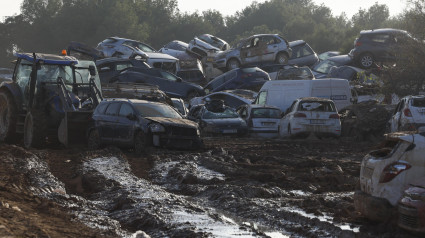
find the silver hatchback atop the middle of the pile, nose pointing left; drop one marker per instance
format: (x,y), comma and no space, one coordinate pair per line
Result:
(254,50)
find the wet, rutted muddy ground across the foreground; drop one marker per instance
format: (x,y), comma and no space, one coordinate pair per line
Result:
(234,187)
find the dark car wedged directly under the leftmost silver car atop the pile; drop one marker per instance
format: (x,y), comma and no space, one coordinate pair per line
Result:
(111,67)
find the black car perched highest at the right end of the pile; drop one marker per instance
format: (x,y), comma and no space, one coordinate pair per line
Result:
(380,45)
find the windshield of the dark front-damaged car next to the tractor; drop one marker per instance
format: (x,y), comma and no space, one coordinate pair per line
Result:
(156,110)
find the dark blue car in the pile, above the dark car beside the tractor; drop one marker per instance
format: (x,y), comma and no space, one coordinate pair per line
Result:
(172,85)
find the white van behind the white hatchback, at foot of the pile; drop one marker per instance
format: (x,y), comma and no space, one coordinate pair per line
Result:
(281,93)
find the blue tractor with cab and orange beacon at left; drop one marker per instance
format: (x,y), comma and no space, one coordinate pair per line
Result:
(50,98)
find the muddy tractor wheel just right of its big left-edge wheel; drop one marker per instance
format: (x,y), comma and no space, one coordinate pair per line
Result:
(35,129)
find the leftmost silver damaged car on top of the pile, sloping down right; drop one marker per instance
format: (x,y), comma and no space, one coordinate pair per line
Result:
(127,48)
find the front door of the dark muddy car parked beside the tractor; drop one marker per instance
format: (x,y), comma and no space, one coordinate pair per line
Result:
(126,125)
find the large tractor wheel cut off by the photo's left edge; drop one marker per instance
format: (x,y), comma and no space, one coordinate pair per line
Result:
(8,117)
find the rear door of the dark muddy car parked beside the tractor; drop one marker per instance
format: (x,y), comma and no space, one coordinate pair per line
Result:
(107,122)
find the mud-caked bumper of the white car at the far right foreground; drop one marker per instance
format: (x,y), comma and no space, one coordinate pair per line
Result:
(374,208)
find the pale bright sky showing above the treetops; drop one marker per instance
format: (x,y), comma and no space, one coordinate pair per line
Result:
(229,7)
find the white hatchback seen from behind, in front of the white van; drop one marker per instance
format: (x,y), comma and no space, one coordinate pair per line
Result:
(311,115)
